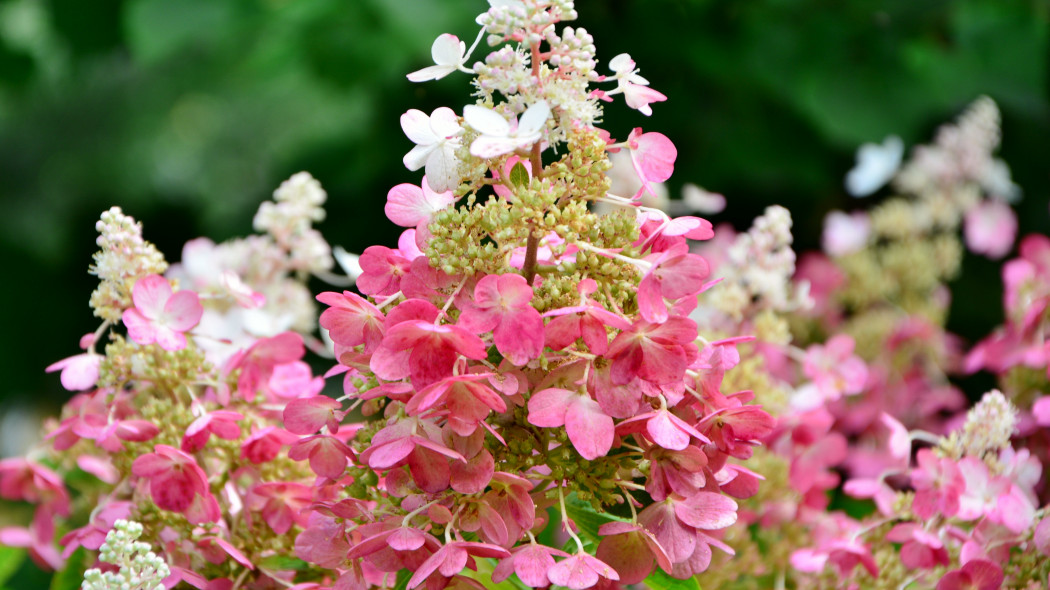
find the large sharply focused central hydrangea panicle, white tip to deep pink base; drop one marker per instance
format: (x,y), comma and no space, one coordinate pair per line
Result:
(528,359)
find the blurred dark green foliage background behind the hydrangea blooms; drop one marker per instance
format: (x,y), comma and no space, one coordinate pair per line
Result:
(187,114)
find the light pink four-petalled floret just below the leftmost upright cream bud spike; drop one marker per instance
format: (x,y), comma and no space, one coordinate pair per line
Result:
(160,315)
